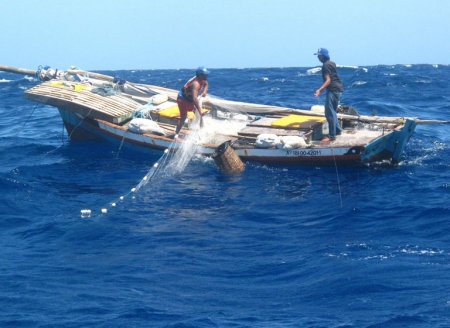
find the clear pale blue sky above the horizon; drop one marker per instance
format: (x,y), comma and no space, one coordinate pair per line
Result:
(148,34)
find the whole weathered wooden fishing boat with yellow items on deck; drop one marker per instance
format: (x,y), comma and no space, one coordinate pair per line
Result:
(143,117)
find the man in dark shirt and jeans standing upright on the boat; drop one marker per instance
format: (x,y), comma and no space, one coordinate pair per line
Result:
(334,87)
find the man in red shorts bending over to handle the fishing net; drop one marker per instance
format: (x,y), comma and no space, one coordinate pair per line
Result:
(188,97)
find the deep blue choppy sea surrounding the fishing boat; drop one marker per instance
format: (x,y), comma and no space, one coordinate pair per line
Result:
(277,246)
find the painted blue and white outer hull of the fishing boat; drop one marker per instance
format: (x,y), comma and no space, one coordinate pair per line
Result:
(387,147)
